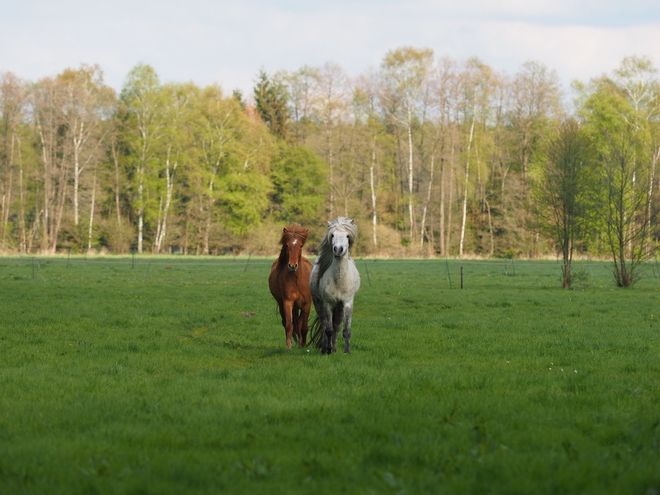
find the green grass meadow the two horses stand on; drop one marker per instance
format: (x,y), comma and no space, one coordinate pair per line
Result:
(171,376)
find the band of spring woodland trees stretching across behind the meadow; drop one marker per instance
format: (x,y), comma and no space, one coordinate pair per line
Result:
(431,156)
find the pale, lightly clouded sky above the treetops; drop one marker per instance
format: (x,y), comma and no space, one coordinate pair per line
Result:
(227,42)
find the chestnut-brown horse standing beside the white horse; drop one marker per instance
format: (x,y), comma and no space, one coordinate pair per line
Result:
(289,284)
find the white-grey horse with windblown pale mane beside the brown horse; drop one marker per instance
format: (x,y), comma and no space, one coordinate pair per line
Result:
(333,283)
